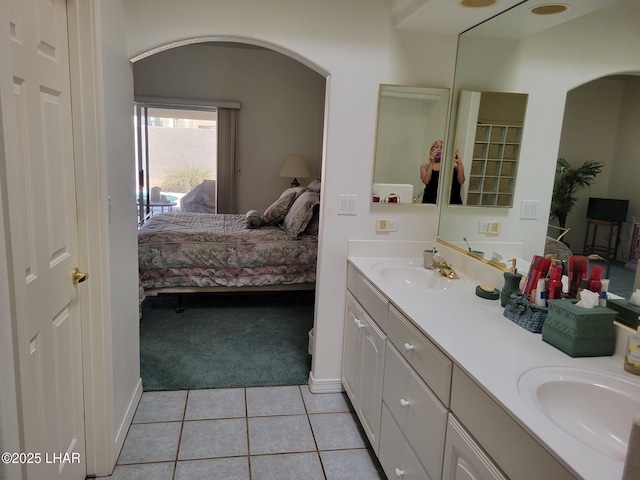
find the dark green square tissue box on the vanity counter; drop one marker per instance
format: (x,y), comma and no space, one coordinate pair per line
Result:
(580,332)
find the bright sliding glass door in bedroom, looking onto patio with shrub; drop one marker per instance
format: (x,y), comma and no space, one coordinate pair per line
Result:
(176,153)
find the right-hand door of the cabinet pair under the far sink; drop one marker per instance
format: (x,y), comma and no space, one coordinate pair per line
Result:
(372,372)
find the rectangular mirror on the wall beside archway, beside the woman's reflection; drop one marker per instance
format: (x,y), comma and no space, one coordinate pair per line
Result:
(410,120)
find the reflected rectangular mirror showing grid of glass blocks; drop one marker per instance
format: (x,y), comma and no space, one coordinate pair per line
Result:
(488,136)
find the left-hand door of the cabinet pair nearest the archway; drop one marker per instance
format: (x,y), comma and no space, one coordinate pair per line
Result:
(352,346)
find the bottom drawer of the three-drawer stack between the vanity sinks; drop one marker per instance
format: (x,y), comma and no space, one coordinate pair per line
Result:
(396,456)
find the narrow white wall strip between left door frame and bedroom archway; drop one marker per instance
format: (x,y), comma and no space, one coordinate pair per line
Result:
(117,82)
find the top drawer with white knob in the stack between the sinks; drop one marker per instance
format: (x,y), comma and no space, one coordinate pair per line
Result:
(428,361)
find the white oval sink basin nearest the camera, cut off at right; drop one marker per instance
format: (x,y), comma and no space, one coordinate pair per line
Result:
(595,407)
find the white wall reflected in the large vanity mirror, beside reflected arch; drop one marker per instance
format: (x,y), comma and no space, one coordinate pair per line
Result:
(545,66)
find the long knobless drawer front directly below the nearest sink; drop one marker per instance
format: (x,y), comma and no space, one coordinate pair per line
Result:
(516,452)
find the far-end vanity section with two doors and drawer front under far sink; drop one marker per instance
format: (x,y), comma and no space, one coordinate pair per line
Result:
(363,361)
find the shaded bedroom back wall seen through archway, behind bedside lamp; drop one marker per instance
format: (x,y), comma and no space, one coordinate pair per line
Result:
(282,108)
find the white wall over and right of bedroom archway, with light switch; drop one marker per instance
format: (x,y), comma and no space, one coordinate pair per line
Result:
(355,45)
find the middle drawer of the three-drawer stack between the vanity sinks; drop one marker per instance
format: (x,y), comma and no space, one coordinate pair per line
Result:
(417,411)
